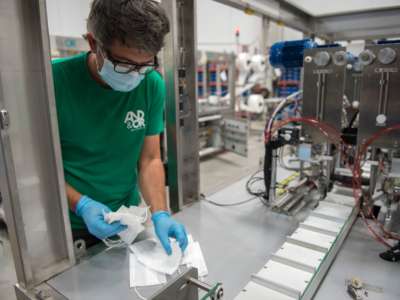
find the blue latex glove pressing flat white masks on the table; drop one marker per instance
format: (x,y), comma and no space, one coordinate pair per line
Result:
(166,227)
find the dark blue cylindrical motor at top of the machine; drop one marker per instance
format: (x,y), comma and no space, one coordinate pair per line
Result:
(289,54)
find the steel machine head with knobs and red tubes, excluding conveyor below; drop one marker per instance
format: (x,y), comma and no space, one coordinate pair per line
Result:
(326,139)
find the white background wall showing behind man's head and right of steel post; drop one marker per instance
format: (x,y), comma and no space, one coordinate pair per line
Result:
(216,24)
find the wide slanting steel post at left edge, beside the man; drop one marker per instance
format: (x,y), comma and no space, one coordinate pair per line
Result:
(32,181)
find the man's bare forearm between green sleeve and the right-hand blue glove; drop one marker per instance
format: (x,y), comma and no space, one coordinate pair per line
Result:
(152,184)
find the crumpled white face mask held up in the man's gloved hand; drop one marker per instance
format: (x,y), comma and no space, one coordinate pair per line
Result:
(133,217)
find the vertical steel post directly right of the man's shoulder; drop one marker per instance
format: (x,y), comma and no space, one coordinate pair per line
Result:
(180,69)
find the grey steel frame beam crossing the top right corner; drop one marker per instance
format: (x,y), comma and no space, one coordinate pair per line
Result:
(371,24)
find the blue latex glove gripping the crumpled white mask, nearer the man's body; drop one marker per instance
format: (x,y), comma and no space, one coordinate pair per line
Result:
(92,213)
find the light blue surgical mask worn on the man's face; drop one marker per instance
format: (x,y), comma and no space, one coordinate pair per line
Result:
(117,81)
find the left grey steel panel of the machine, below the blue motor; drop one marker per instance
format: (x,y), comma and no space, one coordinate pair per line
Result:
(323,88)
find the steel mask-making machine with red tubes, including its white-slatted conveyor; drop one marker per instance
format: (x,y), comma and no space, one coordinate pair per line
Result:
(345,167)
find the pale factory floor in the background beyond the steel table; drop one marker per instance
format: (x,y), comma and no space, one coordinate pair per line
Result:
(216,172)
